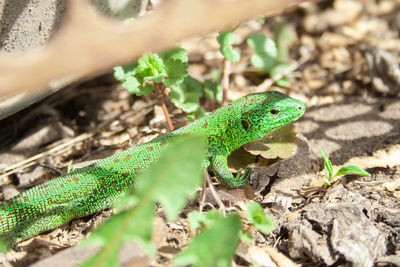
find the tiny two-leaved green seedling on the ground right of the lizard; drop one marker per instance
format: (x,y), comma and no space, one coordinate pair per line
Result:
(348,169)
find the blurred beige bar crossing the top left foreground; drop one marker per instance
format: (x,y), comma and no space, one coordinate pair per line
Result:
(87,43)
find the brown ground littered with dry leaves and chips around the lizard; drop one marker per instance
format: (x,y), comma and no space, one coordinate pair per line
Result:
(347,74)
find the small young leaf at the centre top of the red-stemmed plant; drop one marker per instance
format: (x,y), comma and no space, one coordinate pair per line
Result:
(151,68)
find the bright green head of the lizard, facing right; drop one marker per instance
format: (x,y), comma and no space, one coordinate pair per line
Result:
(263,112)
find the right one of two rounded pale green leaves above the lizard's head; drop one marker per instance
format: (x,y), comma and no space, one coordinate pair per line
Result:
(265,52)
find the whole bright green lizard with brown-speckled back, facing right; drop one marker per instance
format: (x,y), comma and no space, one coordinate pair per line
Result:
(98,186)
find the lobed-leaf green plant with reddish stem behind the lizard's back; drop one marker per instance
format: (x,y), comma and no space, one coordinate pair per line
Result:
(155,73)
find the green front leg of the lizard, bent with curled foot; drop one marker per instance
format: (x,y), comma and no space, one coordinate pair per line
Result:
(220,165)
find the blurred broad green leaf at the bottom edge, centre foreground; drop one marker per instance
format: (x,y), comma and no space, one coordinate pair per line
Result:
(214,246)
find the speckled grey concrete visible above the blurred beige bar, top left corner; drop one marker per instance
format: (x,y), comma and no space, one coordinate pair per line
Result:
(27,24)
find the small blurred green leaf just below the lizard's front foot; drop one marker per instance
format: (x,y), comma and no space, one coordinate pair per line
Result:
(259,218)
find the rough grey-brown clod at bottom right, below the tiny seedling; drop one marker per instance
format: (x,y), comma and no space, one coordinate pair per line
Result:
(345,227)
